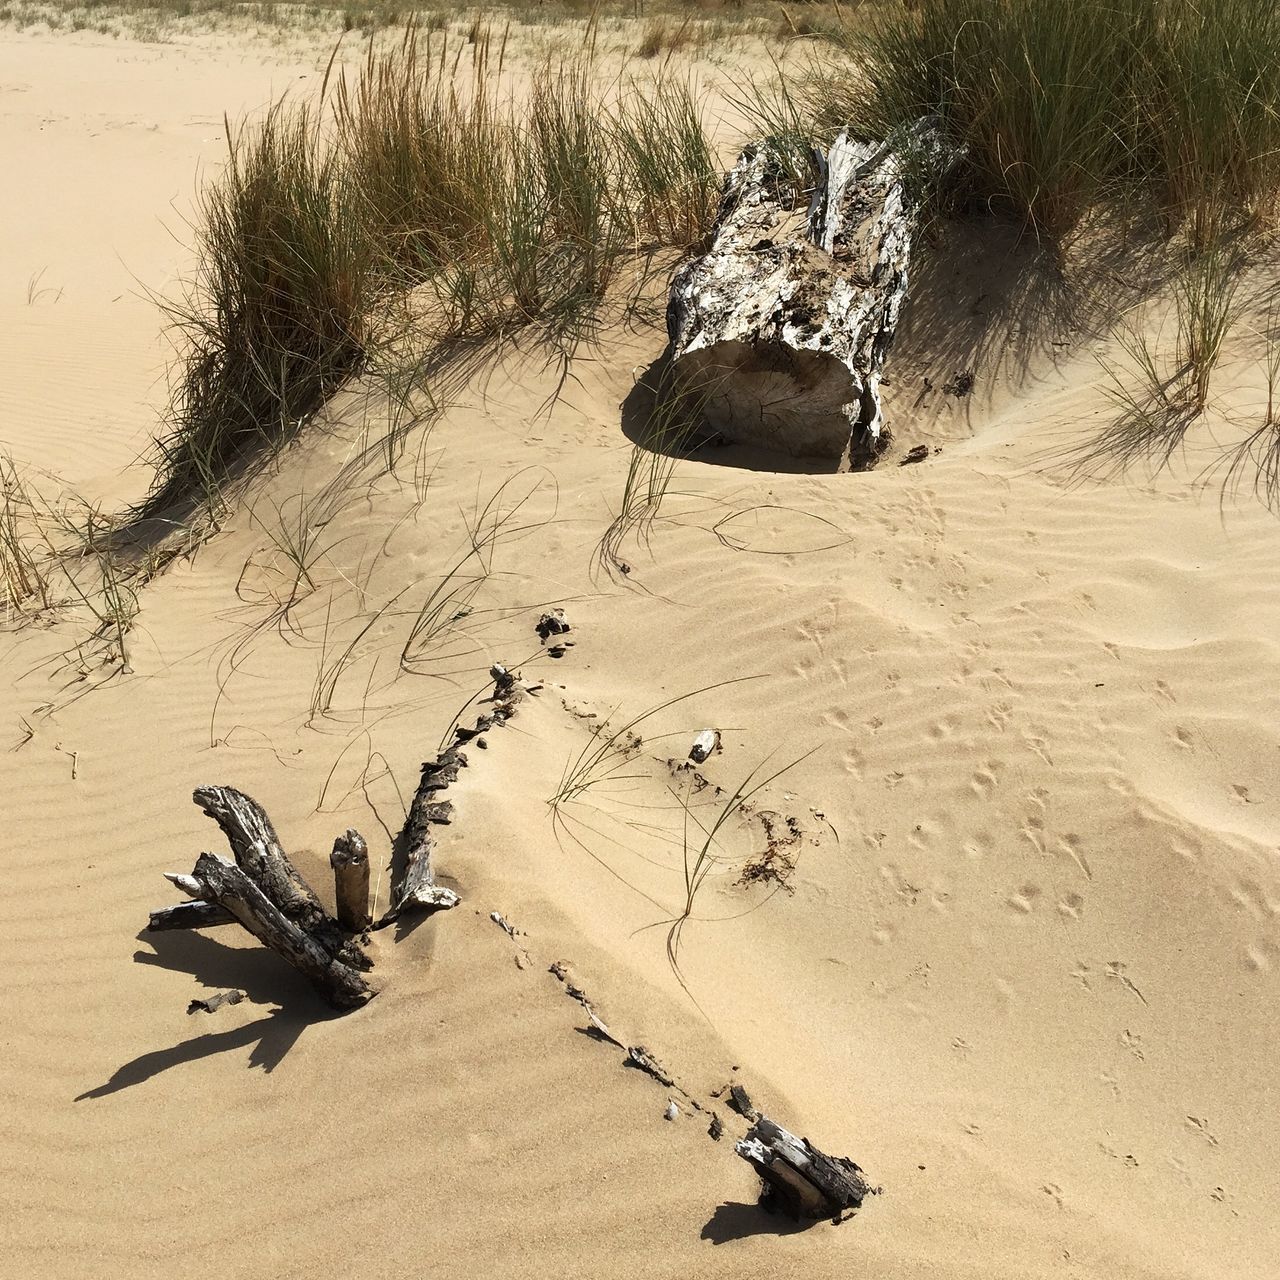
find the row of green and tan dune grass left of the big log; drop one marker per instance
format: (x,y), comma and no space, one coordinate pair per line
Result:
(418,211)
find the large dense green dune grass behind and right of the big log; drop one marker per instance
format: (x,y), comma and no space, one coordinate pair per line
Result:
(1167,107)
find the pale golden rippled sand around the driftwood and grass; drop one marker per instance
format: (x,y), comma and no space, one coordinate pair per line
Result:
(1017,953)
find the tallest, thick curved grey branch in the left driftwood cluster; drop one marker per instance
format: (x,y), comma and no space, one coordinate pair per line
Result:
(262,857)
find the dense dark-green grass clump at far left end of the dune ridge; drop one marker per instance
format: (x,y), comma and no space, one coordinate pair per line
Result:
(277,317)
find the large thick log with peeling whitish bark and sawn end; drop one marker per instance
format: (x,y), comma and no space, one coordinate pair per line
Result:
(780,332)
